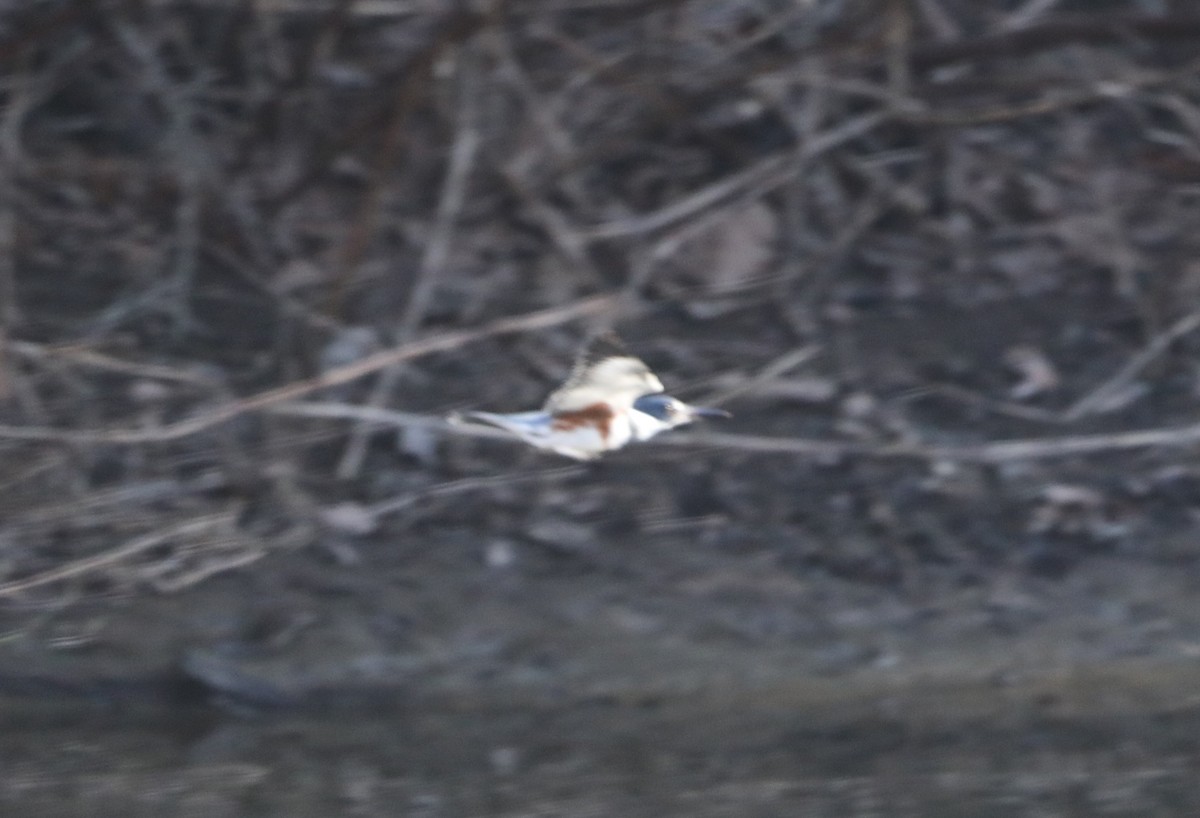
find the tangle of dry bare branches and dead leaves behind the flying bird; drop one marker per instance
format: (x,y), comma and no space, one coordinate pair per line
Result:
(932,251)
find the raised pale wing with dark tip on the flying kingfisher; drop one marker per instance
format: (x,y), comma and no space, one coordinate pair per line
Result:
(604,371)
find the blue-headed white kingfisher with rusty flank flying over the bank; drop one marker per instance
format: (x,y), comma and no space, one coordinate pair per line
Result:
(610,399)
